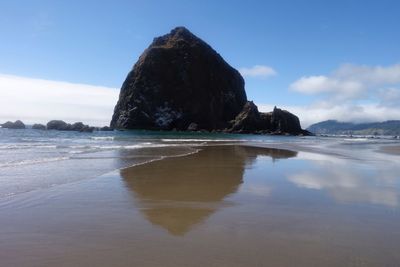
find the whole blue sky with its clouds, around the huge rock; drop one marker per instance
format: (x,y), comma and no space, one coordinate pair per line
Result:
(318,59)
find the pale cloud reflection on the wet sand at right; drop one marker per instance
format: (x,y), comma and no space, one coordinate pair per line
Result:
(350,185)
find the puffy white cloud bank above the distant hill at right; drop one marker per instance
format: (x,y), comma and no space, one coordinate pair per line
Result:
(351,93)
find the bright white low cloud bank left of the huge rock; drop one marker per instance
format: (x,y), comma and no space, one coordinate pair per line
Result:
(37,100)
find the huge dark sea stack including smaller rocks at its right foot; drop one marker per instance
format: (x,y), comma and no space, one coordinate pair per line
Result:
(180,82)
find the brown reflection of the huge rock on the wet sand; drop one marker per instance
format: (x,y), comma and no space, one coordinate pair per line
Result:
(177,193)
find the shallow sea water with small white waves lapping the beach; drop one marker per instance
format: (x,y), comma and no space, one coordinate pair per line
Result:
(35,159)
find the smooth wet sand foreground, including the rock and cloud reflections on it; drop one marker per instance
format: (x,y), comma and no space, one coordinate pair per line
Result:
(222,206)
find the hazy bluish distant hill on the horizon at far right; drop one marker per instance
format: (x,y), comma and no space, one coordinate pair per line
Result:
(374,128)
